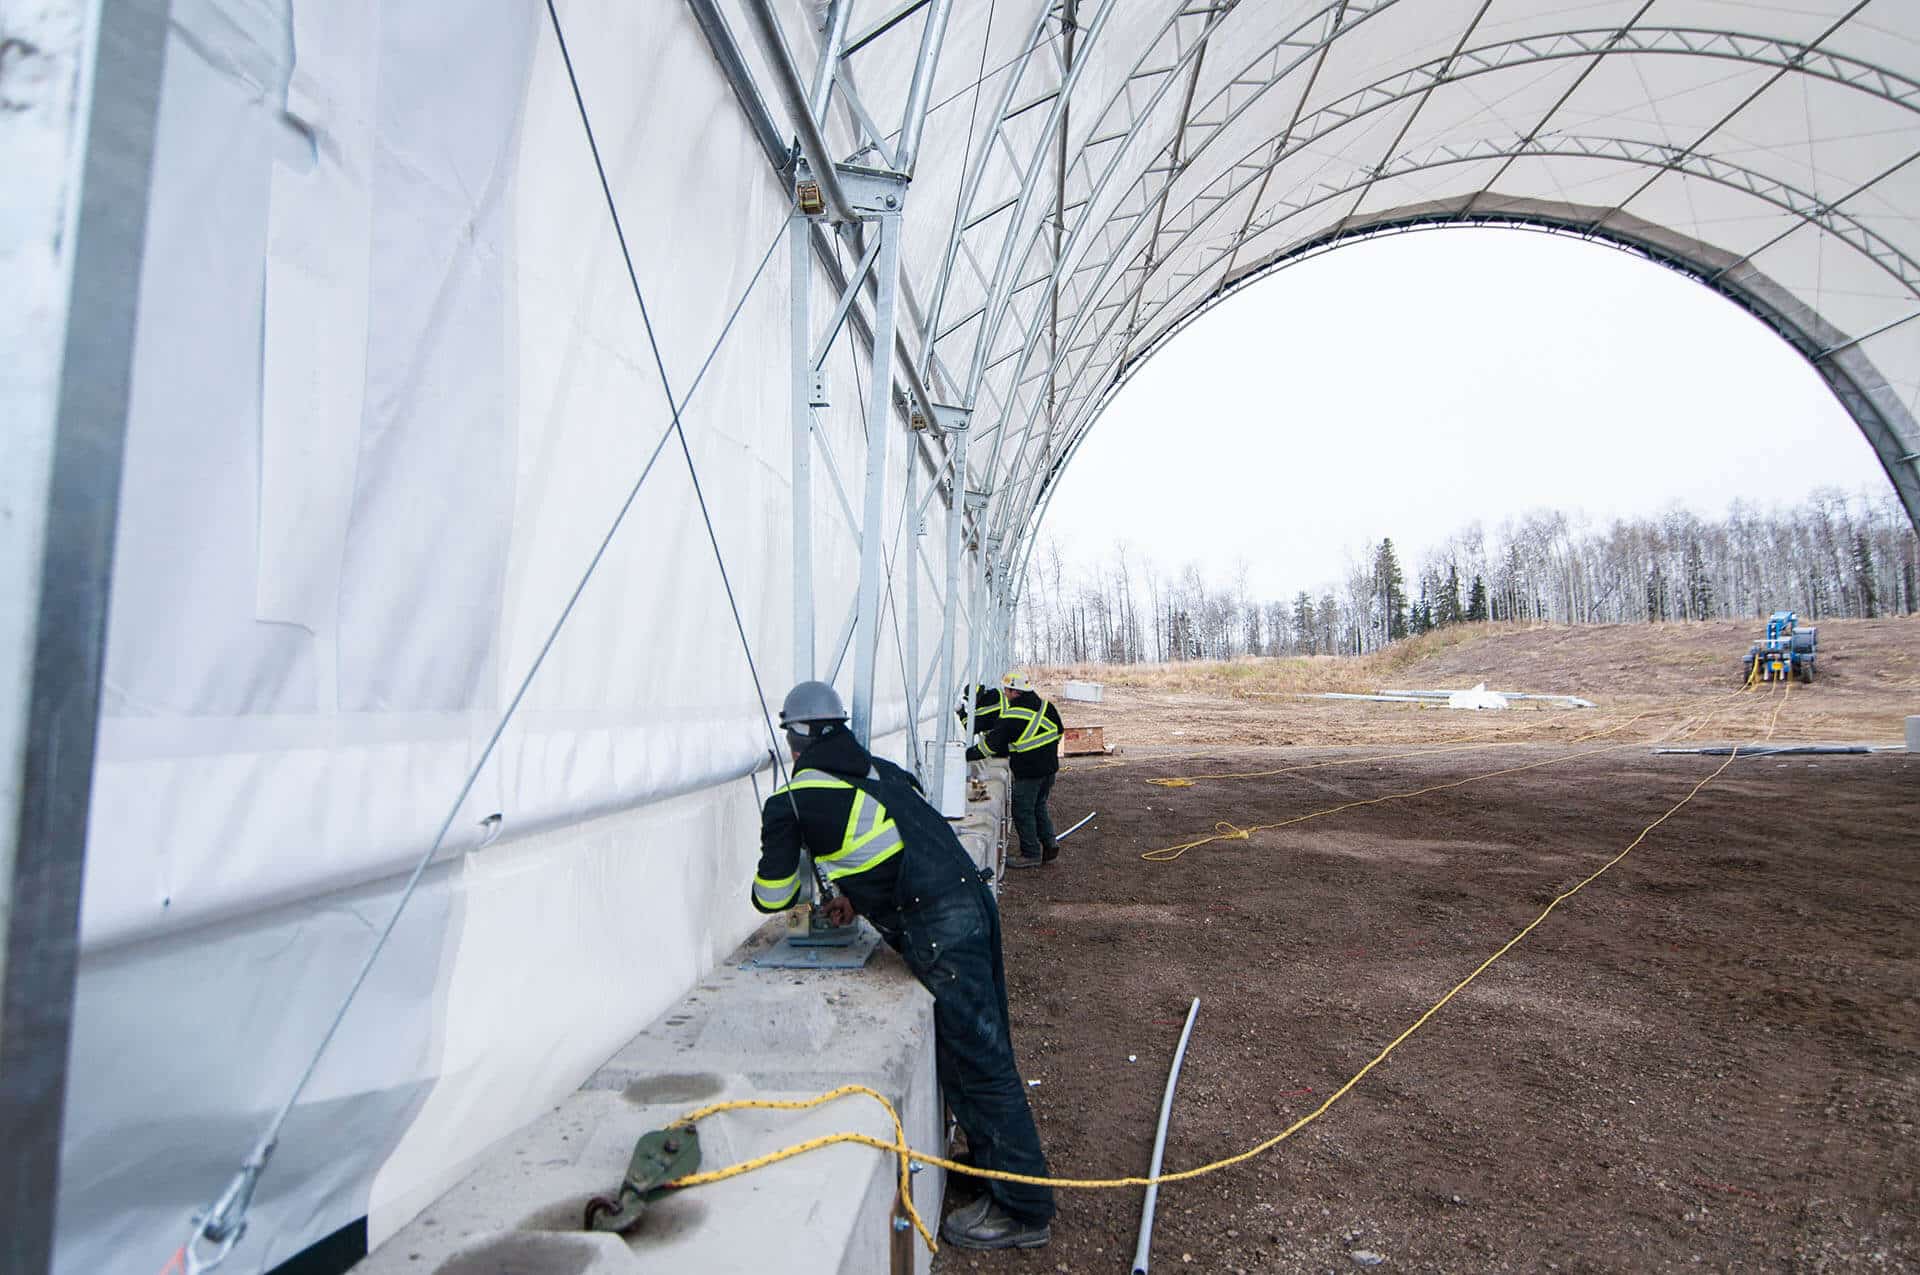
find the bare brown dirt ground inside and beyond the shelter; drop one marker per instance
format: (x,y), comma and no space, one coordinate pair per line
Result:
(1710,1059)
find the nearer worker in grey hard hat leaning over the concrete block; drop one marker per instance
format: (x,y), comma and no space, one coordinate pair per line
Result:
(900,865)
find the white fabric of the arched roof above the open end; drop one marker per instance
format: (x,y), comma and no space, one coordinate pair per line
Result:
(1053,239)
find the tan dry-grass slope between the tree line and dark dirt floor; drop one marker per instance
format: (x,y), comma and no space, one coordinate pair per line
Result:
(1644,679)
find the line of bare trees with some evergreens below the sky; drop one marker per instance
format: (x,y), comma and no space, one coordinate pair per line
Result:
(1833,556)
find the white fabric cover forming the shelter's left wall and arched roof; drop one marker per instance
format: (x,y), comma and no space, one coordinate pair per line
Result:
(393,389)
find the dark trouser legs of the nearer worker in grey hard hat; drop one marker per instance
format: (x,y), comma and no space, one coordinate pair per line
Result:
(953,948)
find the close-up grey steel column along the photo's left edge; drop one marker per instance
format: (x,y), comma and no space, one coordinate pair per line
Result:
(66,421)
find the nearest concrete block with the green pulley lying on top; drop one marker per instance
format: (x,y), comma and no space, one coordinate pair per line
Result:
(740,1034)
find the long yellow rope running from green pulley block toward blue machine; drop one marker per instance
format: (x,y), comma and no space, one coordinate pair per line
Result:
(907,1155)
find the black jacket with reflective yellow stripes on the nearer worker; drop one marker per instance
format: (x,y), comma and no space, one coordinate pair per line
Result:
(926,867)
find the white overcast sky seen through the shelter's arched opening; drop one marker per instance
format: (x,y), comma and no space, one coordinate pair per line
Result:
(1404,387)
